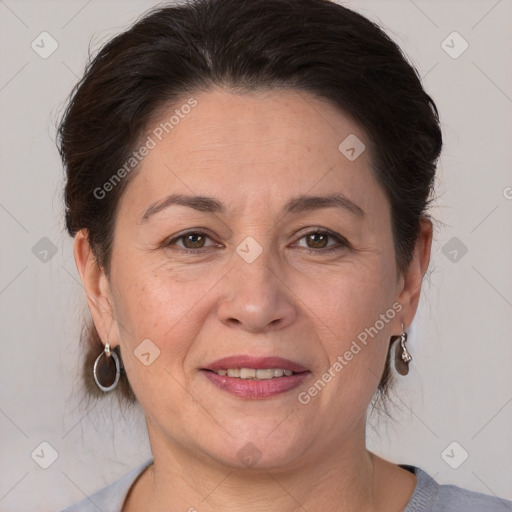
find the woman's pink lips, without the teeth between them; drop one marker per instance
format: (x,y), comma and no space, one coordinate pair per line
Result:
(254,389)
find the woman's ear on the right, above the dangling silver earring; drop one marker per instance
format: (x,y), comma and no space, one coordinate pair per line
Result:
(410,283)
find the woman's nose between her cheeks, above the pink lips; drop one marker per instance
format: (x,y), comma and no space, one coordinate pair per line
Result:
(256,296)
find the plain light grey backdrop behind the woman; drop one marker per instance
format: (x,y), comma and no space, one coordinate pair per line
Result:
(457,398)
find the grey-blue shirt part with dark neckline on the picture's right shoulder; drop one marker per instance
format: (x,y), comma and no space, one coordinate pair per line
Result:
(430,496)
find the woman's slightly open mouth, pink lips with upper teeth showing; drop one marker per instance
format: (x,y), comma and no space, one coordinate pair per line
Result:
(252,377)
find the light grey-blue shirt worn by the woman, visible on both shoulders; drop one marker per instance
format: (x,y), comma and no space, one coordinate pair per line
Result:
(428,496)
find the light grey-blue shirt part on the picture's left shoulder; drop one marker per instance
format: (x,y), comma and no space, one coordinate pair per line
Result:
(112,496)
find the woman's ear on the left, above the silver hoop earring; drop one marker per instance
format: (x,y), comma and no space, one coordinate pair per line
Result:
(96,288)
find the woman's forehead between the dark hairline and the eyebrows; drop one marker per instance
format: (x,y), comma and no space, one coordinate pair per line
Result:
(261,146)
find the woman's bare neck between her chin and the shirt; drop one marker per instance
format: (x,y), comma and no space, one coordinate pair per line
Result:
(337,480)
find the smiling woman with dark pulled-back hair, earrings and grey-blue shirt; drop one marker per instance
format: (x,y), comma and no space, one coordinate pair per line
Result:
(247,185)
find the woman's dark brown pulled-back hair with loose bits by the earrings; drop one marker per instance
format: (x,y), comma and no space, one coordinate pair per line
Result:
(315,46)
